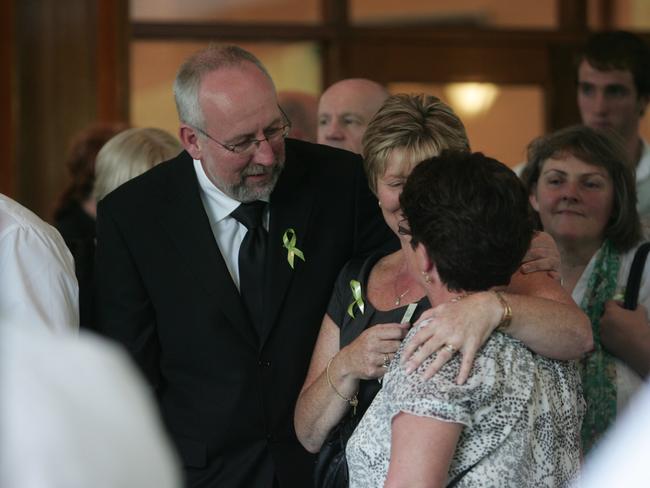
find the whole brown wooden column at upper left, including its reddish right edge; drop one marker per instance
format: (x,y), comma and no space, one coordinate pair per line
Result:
(71,71)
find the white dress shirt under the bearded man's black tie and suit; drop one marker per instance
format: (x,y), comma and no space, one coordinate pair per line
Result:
(227,230)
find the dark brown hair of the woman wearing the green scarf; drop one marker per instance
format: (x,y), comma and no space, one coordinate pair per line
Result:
(598,148)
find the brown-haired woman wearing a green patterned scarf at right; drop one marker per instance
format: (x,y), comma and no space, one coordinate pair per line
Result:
(584,191)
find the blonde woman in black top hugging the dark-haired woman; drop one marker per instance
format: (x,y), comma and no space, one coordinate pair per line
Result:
(376,299)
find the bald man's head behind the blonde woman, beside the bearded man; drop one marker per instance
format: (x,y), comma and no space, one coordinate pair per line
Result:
(345,109)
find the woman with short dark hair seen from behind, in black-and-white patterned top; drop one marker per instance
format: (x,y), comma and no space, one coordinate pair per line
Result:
(515,422)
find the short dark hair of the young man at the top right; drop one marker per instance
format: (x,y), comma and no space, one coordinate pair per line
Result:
(620,50)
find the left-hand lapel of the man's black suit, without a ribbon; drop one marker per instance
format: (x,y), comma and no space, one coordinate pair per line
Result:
(187,225)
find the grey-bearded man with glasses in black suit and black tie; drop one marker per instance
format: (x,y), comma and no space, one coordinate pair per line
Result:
(226,365)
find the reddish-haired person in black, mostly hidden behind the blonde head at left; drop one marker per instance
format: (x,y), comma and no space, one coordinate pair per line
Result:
(74,216)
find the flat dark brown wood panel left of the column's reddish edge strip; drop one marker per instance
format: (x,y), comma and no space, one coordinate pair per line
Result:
(56,91)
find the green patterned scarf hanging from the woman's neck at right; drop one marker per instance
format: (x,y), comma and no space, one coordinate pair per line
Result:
(598,369)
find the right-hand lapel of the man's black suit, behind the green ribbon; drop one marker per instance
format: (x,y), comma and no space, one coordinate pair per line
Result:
(290,209)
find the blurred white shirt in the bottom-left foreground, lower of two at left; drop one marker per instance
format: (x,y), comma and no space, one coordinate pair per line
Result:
(75,413)
